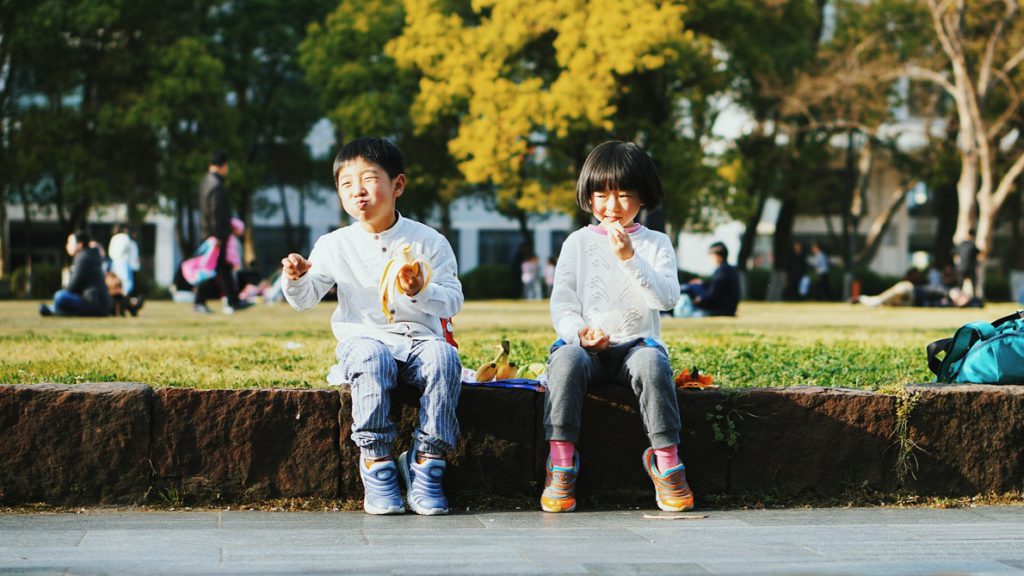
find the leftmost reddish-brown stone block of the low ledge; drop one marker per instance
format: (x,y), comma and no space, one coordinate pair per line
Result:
(81,444)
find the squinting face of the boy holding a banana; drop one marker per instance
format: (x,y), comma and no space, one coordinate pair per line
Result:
(368,194)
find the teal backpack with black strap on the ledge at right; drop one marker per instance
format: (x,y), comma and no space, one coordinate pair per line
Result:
(982,353)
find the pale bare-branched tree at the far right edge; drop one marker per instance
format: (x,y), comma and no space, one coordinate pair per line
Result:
(975,58)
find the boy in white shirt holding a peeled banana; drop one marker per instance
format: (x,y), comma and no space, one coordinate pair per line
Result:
(376,351)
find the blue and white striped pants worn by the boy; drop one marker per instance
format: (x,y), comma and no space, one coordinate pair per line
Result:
(434,367)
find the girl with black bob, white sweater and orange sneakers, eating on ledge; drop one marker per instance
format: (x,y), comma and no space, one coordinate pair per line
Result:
(612,282)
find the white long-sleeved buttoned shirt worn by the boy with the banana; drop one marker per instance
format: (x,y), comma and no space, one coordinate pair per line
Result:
(355,260)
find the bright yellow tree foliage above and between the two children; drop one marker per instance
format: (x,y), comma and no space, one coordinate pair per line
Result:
(518,72)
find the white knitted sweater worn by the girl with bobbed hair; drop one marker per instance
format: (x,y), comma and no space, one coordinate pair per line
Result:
(623,298)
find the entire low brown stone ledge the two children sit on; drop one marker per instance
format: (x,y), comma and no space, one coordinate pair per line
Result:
(107,444)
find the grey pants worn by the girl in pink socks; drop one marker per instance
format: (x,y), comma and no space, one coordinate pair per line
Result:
(572,369)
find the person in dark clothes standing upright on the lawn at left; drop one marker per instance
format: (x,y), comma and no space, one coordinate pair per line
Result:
(216,222)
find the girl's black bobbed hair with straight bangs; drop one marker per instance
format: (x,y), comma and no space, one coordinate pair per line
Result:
(619,166)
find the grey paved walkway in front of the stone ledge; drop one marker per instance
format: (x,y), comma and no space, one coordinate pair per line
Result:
(884,542)
